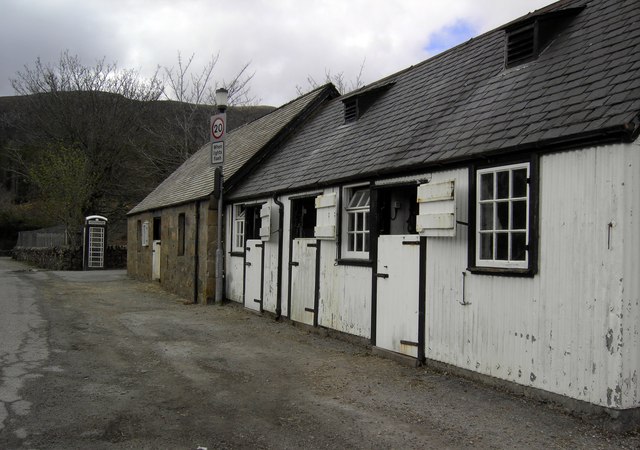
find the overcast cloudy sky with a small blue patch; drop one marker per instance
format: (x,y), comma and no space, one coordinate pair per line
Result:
(284,40)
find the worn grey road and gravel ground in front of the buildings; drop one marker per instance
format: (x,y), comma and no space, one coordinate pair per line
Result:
(96,360)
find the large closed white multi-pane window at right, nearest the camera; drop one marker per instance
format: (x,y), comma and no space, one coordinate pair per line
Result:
(502,216)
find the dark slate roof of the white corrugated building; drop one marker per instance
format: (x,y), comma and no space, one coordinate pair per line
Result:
(463,103)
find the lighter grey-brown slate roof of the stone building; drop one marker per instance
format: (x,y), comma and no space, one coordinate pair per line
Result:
(194,179)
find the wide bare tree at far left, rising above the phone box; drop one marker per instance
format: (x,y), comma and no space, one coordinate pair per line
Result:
(95,109)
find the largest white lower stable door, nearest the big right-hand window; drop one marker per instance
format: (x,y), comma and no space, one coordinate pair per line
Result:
(397,293)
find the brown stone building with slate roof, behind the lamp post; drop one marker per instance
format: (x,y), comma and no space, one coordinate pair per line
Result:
(172,232)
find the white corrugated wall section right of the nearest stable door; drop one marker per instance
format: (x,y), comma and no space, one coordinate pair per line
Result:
(573,328)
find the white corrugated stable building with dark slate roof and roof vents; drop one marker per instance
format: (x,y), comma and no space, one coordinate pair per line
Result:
(477,211)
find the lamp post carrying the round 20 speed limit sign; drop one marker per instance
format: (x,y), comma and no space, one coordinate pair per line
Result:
(218,136)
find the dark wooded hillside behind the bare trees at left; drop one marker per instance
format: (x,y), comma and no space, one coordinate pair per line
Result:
(131,147)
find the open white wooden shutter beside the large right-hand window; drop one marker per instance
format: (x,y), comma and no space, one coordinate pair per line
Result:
(437,215)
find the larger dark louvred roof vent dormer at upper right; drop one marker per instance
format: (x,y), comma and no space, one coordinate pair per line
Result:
(528,37)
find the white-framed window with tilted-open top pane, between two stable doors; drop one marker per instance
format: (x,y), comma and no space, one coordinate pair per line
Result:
(356,226)
